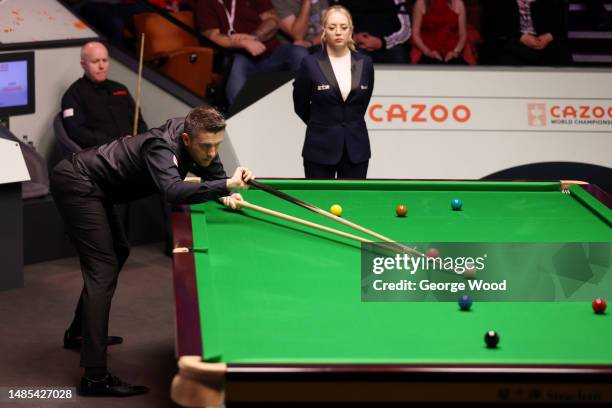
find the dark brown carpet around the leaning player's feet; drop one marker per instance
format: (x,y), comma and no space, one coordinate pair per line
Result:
(33,320)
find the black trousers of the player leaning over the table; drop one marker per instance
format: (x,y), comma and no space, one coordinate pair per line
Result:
(97,233)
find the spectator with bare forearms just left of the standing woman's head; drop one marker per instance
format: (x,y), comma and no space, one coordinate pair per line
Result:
(301,20)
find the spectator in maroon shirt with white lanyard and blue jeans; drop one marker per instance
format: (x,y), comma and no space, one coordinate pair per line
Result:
(248,28)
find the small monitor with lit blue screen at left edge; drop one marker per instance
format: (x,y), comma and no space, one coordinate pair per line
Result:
(16,84)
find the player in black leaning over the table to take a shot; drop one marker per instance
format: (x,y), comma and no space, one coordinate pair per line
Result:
(85,190)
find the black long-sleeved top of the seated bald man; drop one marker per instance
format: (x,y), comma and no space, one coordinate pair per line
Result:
(95,113)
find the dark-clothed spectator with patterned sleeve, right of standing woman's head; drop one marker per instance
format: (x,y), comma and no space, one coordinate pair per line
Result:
(382,28)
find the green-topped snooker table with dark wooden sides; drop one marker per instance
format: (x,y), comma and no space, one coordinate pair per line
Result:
(268,311)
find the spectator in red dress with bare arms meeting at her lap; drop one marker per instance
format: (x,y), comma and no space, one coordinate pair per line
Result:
(440,33)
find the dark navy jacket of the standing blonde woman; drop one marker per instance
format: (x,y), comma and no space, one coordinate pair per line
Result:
(333,123)
